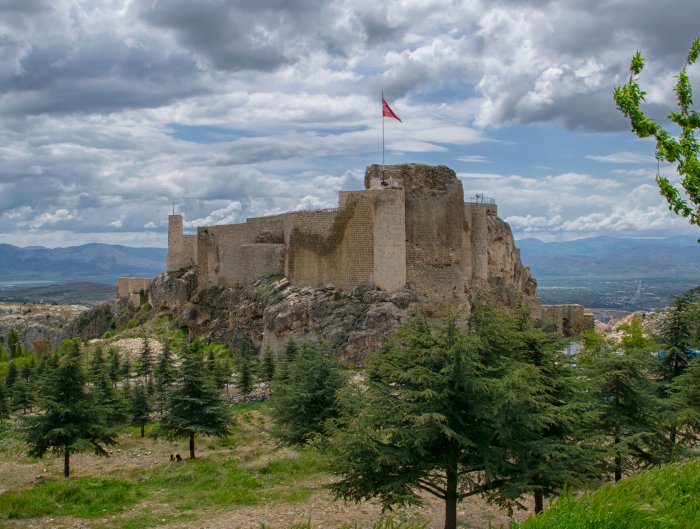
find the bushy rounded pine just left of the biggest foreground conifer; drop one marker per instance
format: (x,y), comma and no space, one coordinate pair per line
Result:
(307,399)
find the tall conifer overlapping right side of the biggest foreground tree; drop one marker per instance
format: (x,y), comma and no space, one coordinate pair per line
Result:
(554,449)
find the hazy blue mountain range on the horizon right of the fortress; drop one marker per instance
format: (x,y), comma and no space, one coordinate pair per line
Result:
(612,257)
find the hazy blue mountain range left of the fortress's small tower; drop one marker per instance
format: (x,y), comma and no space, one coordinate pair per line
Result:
(100,263)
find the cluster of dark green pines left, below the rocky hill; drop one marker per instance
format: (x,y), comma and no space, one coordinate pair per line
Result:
(80,404)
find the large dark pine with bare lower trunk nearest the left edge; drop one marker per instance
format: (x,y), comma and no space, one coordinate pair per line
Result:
(69,421)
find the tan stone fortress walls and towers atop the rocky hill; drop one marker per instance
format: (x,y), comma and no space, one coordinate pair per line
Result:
(410,227)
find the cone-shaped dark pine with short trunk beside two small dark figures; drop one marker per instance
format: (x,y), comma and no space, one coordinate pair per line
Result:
(195,406)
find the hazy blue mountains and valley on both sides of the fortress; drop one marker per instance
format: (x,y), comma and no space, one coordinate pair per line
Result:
(601,272)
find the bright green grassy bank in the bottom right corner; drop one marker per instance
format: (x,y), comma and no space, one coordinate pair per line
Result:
(663,498)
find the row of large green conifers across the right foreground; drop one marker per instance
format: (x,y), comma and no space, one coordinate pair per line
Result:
(491,406)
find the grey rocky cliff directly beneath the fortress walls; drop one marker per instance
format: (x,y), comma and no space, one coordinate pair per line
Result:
(269,312)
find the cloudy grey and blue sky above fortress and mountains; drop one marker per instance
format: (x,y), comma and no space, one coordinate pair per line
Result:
(113,110)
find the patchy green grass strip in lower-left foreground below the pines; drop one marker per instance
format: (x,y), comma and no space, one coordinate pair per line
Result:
(194,485)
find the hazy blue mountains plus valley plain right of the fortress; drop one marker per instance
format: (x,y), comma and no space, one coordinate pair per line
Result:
(613,275)
